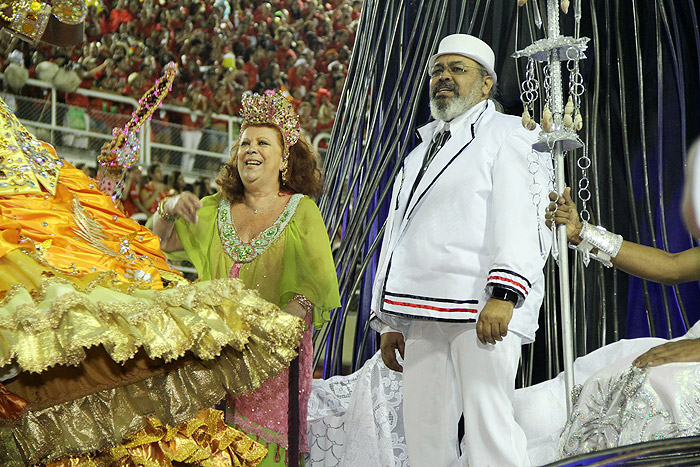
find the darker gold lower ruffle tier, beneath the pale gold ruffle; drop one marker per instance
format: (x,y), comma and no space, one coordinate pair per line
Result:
(103,419)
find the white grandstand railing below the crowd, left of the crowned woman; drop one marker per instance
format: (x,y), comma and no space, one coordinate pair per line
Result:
(78,133)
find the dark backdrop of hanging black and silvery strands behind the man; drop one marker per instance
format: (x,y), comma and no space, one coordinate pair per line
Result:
(640,109)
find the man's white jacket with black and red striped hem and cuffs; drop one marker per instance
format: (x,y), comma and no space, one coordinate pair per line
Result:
(469,225)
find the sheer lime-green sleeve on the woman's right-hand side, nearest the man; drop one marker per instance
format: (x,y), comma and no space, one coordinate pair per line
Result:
(308,263)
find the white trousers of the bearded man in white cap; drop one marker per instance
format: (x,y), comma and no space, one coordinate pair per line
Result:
(447,372)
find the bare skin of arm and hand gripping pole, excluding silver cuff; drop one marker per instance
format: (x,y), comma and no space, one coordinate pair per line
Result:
(639,260)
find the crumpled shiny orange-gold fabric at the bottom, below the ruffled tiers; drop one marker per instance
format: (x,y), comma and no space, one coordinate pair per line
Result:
(202,441)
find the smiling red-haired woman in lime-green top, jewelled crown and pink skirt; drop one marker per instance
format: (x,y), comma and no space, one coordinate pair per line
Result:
(264,228)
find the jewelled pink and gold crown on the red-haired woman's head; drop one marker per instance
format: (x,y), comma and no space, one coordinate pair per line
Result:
(272,107)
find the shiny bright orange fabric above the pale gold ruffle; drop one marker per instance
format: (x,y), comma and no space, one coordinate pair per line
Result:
(49,222)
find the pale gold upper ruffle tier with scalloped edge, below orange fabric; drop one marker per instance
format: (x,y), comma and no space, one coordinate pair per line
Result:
(47,318)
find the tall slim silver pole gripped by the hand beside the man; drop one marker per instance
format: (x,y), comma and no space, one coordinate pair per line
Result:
(557,108)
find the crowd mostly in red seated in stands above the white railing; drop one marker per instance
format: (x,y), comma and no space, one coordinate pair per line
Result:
(223,48)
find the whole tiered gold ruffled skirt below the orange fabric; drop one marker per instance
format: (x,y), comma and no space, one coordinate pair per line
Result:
(100,361)
